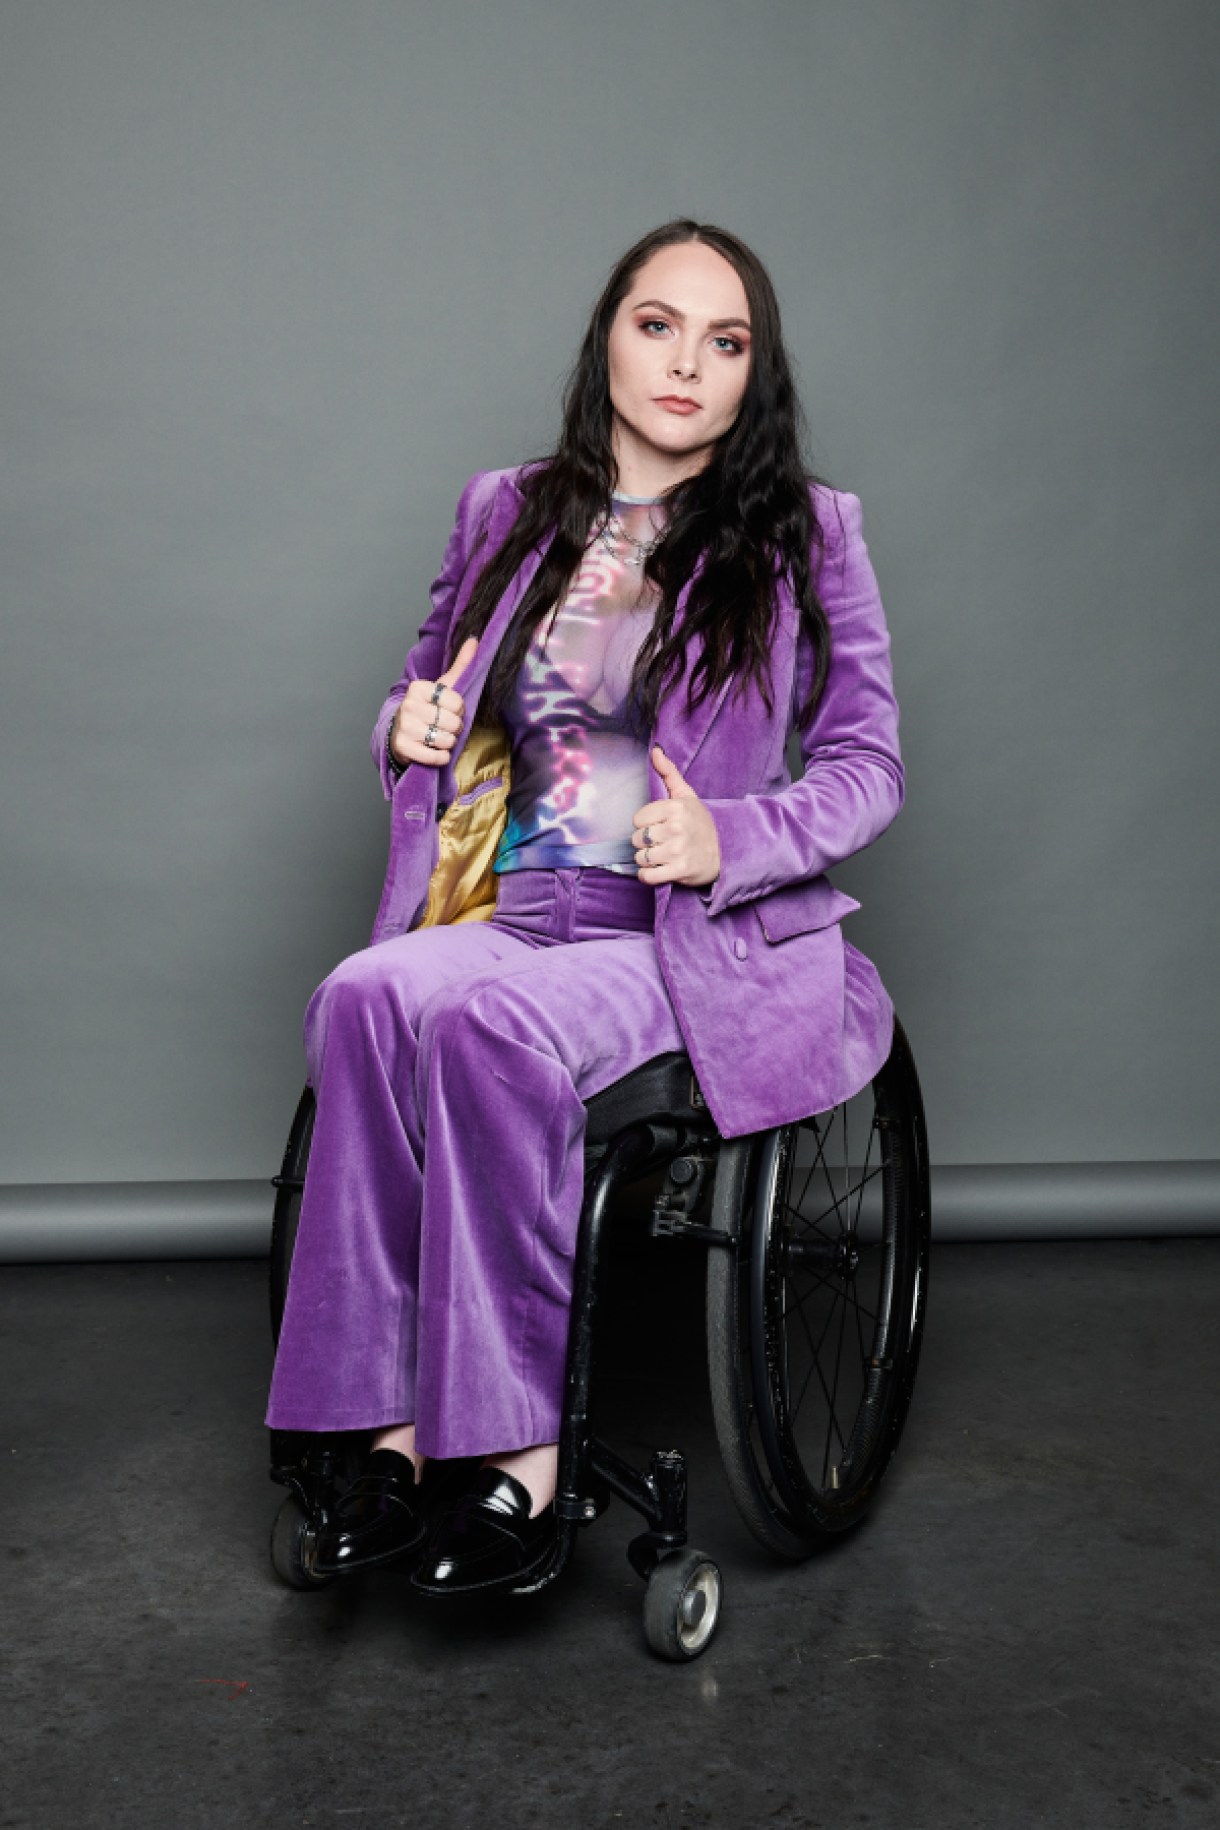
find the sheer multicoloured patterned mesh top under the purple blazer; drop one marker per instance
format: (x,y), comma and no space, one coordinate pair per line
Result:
(579,748)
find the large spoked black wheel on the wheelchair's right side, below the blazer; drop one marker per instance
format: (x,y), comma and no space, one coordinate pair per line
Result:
(815,1319)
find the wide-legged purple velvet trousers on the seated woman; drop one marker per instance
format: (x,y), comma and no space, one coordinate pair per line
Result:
(434,1260)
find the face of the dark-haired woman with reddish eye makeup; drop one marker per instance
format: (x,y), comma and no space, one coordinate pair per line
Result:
(680,360)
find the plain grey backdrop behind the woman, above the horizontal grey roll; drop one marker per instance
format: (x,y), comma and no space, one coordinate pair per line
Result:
(279,275)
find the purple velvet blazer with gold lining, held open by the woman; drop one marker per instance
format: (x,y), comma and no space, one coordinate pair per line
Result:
(780,1015)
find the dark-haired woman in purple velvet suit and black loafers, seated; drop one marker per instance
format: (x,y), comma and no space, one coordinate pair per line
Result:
(599,857)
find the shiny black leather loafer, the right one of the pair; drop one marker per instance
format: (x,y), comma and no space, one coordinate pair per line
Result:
(487,1540)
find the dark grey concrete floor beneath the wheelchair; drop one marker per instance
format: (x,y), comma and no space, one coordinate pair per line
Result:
(1025,1631)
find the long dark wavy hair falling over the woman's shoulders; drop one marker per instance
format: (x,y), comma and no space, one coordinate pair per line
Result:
(747,515)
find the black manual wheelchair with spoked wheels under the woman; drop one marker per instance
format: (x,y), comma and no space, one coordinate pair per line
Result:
(817,1242)
